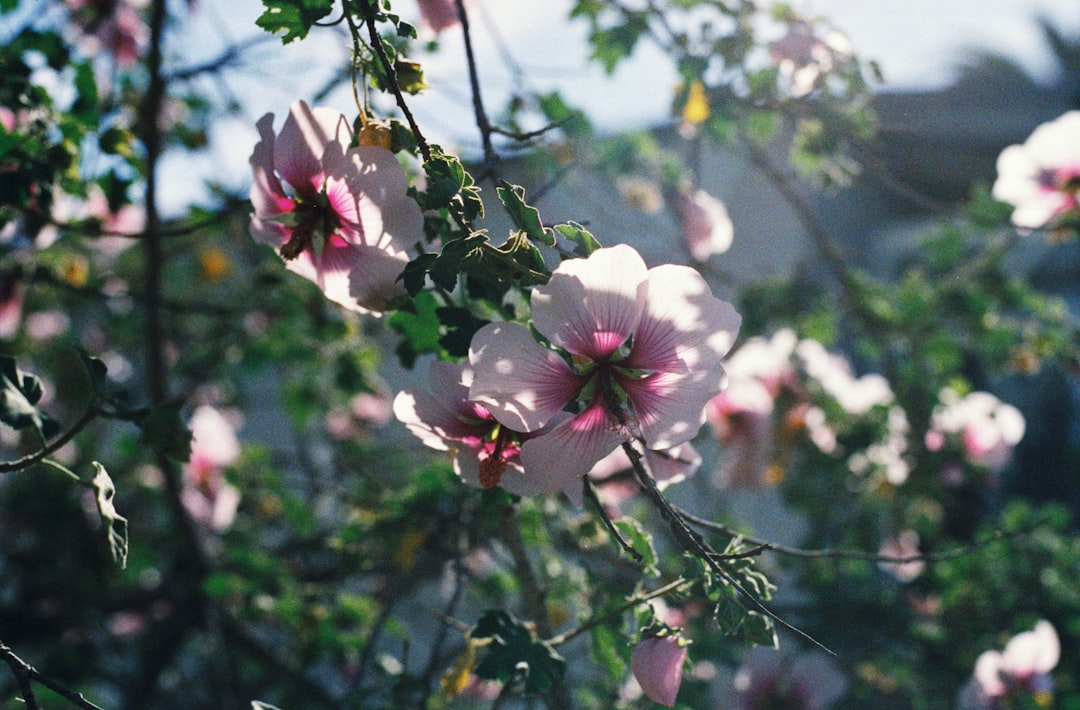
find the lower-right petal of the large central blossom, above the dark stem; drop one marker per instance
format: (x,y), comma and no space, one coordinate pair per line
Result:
(670,408)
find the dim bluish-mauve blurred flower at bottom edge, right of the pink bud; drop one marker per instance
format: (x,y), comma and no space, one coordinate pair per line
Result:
(771,679)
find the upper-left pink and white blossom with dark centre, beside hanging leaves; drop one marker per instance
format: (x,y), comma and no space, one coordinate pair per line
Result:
(348,221)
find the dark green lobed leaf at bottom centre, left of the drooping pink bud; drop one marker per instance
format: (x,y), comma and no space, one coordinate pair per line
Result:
(514,652)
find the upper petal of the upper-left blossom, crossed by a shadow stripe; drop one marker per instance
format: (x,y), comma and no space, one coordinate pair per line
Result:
(303,143)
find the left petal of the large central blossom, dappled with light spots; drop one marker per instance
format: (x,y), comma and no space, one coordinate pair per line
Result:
(521,383)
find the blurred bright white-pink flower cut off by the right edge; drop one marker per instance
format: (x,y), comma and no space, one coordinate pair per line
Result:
(1042,178)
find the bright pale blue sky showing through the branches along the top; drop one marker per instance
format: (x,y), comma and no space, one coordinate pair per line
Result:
(917,43)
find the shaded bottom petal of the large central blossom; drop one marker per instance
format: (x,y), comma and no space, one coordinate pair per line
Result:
(559,460)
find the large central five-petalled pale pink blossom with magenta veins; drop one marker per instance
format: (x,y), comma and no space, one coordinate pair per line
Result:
(646,347)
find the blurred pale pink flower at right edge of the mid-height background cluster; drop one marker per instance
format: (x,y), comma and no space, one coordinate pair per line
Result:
(985,428)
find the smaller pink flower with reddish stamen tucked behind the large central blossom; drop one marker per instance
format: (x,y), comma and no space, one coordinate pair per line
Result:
(485,453)
